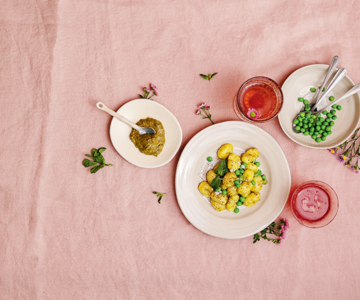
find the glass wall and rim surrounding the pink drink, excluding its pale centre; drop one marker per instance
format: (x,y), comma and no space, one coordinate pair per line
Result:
(331,211)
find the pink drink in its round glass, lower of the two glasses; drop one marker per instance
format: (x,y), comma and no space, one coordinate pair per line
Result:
(314,204)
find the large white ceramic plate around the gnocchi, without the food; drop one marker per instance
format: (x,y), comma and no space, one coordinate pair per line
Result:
(193,165)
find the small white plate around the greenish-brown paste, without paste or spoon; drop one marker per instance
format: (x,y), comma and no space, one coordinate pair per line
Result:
(141,109)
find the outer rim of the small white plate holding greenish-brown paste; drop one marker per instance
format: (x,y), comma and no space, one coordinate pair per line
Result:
(125,156)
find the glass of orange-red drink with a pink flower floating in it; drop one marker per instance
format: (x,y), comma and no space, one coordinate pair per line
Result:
(260,94)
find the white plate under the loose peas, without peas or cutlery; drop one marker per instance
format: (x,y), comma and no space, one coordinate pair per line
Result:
(297,85)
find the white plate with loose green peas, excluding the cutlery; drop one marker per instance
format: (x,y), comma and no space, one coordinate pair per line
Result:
(320,131)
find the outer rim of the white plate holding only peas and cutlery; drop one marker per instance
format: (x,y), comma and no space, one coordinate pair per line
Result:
(282,125)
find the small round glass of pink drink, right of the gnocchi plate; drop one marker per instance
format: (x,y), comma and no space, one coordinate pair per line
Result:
(332,202)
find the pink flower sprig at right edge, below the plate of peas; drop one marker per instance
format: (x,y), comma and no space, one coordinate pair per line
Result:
(349,152)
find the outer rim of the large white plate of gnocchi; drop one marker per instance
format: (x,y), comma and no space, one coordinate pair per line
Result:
(189,144)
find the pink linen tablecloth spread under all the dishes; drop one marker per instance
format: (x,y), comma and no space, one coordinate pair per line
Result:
(67,234)
